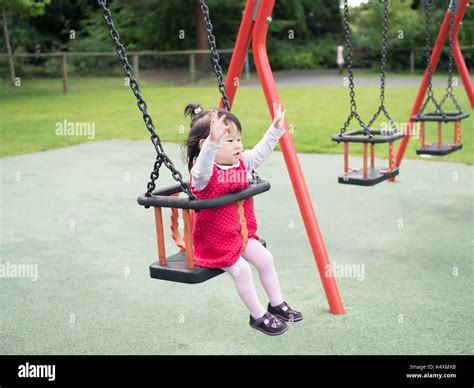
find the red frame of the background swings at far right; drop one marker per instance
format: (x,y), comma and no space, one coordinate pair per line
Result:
(434,59)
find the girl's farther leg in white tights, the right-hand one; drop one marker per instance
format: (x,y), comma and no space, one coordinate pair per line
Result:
(262,259)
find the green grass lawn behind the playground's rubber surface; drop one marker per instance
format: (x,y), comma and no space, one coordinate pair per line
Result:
(29,113)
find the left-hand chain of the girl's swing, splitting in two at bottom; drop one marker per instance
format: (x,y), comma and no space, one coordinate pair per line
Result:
(161,158)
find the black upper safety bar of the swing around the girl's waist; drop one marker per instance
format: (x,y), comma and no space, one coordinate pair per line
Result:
(163,197)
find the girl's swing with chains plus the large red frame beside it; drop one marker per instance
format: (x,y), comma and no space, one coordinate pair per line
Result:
(254,26)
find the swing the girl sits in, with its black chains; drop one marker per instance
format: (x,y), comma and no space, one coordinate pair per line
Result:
(179,267)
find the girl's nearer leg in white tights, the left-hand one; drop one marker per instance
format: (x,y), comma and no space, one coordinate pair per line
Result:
(242,275)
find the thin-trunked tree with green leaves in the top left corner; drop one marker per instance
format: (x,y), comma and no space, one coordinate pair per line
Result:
(21,8)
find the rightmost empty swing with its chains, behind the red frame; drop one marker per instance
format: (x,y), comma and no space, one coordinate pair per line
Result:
(439,116)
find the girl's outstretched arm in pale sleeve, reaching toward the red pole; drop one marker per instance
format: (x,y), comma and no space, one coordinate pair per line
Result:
(255,157)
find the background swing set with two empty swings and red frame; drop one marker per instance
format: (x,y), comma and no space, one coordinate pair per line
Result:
(371,175)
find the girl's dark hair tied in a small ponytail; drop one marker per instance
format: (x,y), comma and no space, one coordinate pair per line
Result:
(199,128)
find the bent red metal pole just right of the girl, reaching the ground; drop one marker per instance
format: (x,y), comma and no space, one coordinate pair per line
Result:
(291,160)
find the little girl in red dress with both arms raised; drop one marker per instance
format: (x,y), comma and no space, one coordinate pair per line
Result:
(226,237)
